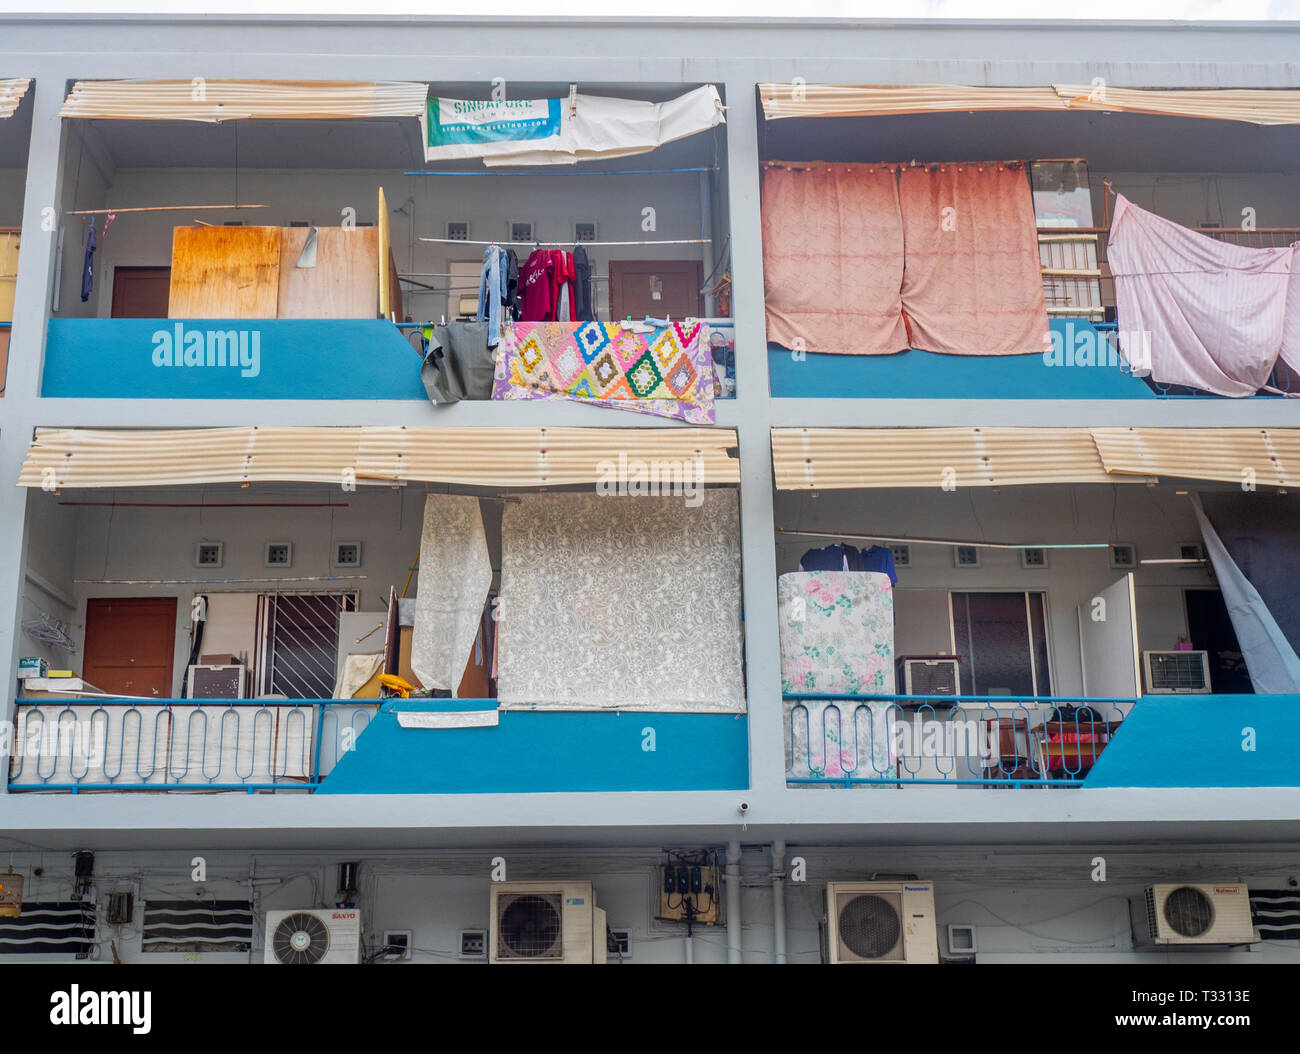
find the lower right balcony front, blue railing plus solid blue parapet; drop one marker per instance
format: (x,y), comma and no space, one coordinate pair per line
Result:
(1077,743)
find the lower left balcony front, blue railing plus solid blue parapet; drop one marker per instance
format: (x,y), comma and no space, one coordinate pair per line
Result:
(340,747)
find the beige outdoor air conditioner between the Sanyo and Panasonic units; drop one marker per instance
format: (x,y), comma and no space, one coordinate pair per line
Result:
(547,923)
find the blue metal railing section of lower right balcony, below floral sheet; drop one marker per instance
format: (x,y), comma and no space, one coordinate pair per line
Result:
(950,741)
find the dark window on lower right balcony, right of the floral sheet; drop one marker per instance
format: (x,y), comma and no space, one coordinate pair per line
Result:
(1003,643)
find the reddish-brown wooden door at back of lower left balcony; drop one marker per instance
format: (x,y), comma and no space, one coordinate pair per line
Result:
(131,645)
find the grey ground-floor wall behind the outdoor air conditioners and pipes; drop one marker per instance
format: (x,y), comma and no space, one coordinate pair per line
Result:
(1026,905)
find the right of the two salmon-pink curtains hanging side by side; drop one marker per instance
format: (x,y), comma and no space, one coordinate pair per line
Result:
(972,283)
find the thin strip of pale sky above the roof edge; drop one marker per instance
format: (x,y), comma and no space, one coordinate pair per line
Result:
(1093,11)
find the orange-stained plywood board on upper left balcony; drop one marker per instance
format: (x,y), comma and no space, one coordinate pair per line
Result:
(226,274)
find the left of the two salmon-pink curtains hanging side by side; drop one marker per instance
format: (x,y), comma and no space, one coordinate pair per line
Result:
(834,259)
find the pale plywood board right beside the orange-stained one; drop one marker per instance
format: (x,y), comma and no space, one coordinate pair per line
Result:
(344,284)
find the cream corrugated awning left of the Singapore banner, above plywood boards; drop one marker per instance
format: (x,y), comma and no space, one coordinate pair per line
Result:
(236,101)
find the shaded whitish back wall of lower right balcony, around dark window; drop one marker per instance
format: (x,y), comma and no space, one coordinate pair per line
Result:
(1156,521)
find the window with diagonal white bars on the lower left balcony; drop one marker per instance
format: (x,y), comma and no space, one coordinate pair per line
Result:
(300,643)
